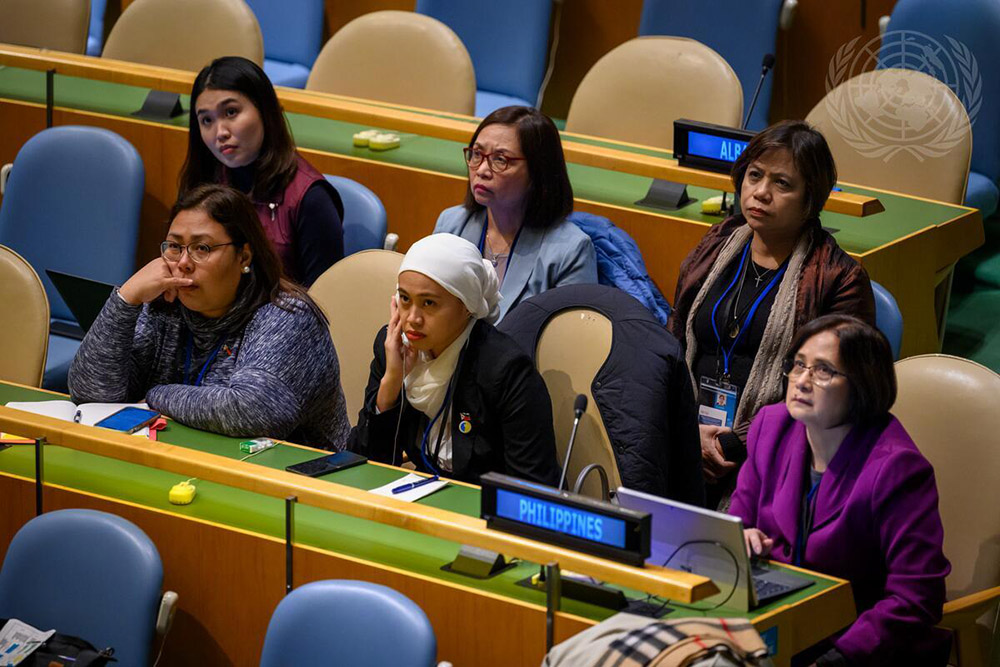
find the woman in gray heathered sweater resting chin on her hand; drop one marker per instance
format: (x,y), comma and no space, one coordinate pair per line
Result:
(213,336)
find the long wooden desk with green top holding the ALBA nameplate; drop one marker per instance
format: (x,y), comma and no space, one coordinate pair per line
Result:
(904,247)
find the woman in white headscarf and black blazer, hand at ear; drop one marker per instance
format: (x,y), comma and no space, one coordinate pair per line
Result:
(448,389)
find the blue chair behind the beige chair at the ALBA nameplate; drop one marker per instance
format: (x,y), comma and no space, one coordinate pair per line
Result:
(741,32)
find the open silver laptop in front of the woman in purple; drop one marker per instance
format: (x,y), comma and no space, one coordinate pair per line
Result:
(711,544)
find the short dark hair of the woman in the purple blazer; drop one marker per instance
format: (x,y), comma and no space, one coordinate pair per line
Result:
(866,360)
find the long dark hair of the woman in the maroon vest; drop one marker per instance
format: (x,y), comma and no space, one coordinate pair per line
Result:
(275,166)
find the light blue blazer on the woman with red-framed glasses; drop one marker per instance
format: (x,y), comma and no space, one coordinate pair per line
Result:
(543,258)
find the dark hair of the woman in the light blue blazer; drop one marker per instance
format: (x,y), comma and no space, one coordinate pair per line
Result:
(550,195)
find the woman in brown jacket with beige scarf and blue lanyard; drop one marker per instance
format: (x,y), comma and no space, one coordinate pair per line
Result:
(753,281)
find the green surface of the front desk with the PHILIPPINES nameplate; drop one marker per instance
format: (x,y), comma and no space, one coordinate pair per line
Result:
(216,503)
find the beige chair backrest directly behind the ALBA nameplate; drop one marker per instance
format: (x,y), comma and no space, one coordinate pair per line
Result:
(638,89)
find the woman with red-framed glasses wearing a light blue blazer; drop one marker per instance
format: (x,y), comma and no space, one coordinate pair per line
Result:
(516,206)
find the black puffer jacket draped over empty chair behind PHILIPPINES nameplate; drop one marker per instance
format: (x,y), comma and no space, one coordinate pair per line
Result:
(643,390)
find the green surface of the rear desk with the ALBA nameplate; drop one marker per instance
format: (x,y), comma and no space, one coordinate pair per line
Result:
(902,217)
